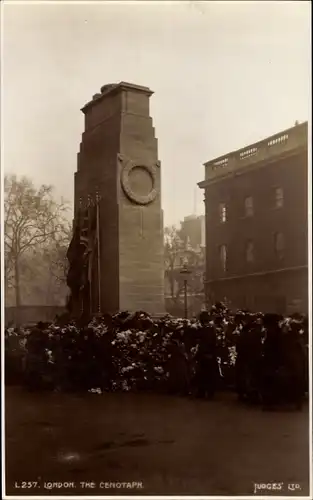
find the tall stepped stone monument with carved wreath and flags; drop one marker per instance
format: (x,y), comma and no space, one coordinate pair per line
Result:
(116,254)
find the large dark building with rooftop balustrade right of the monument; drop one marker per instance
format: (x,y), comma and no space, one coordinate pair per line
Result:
(257,224)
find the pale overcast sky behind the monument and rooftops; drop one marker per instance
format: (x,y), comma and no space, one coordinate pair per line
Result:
(225,74)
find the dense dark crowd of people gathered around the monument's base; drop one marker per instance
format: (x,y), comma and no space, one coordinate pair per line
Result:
(264,357)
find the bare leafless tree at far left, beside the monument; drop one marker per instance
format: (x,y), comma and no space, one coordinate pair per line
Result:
(33,220)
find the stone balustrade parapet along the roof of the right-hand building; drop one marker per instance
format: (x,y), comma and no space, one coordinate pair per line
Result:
(276,145)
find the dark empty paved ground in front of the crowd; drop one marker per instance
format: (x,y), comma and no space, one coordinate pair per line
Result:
(171,445)
